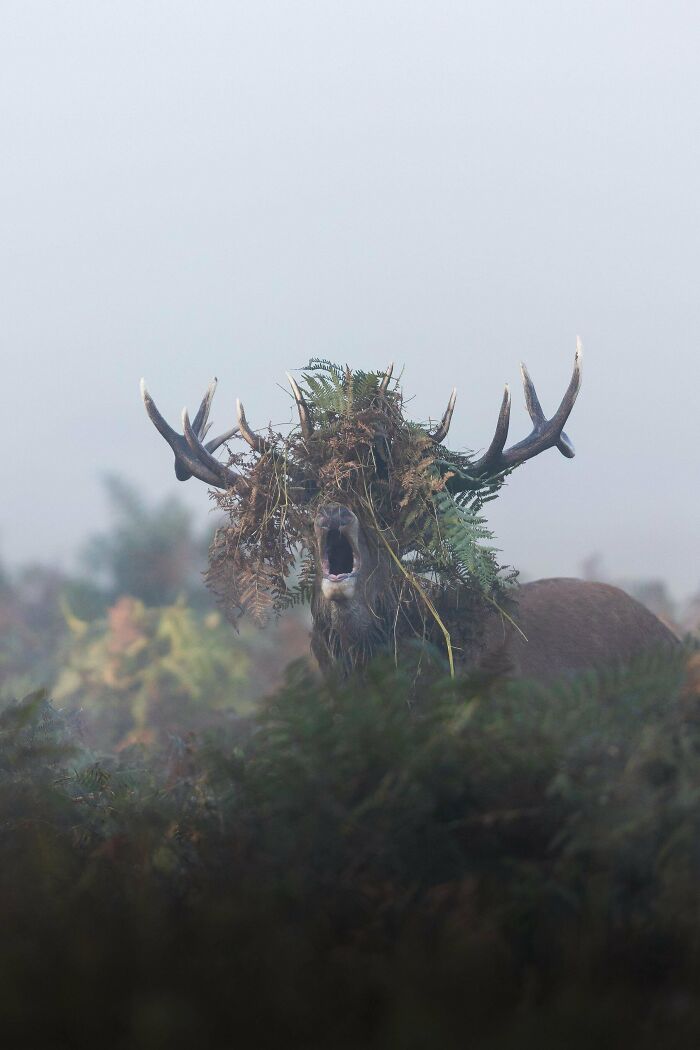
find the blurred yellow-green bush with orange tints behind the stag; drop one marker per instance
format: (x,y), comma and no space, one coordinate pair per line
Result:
(142,671)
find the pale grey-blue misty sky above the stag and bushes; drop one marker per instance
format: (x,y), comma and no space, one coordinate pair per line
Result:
(230,188)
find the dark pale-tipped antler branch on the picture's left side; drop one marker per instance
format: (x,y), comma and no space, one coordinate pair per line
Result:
(193,458)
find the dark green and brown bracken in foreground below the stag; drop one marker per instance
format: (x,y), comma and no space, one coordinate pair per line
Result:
(501,866)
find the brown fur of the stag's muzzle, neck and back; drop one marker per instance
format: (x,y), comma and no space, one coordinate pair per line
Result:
(564,625)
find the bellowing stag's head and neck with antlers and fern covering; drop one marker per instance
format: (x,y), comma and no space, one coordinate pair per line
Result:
(359,510)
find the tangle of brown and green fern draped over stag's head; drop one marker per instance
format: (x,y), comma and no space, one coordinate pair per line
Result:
(365,452)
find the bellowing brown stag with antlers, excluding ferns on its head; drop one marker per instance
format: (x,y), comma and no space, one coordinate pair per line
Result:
(367,598)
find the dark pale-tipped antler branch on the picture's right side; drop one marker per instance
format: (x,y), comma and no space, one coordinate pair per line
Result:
(545,434)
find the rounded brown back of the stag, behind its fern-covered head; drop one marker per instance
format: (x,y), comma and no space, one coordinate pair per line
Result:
(571,625)
